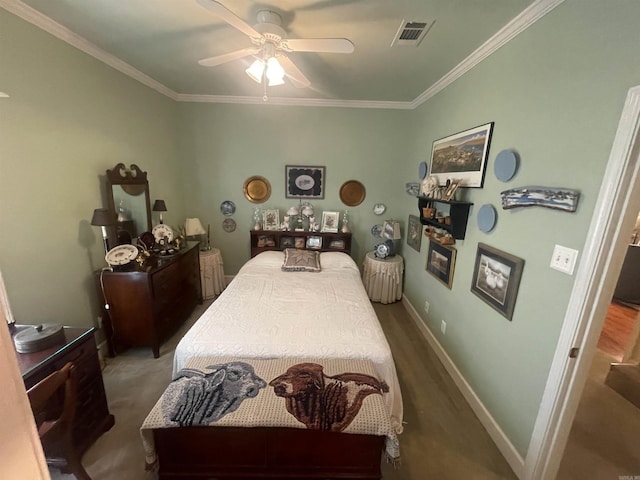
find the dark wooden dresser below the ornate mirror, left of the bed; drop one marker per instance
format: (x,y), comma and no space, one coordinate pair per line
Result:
(146,305)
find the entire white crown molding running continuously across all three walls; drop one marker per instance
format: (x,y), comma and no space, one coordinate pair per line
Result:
(525,19)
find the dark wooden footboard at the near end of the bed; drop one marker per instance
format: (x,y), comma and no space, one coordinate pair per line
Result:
(256,453)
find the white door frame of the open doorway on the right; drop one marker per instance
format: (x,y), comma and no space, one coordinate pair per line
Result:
(614,215)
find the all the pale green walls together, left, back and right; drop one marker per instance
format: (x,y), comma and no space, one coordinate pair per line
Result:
(555,94)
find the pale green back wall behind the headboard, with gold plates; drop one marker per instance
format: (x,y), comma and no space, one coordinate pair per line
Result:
(223,145)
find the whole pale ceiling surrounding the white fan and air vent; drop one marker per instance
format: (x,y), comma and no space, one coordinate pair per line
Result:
(159,42)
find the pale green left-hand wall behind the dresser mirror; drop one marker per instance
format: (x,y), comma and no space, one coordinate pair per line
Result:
(68,120)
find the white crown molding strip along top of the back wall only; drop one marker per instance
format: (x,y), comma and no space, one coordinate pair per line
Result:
(294,102)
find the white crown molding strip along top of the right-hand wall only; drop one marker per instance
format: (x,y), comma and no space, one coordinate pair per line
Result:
(524,20)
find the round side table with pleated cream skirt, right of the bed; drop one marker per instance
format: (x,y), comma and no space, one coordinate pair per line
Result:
(382,278)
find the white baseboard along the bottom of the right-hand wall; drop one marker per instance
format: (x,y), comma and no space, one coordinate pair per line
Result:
(511,455)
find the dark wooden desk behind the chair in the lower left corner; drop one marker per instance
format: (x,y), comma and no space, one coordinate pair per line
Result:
(92,413)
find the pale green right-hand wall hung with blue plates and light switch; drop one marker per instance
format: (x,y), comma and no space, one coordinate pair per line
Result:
(555,94)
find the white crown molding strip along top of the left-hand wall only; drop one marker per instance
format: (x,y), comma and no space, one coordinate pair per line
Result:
(45,23)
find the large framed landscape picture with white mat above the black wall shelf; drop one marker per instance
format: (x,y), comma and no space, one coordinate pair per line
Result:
(462,156)
